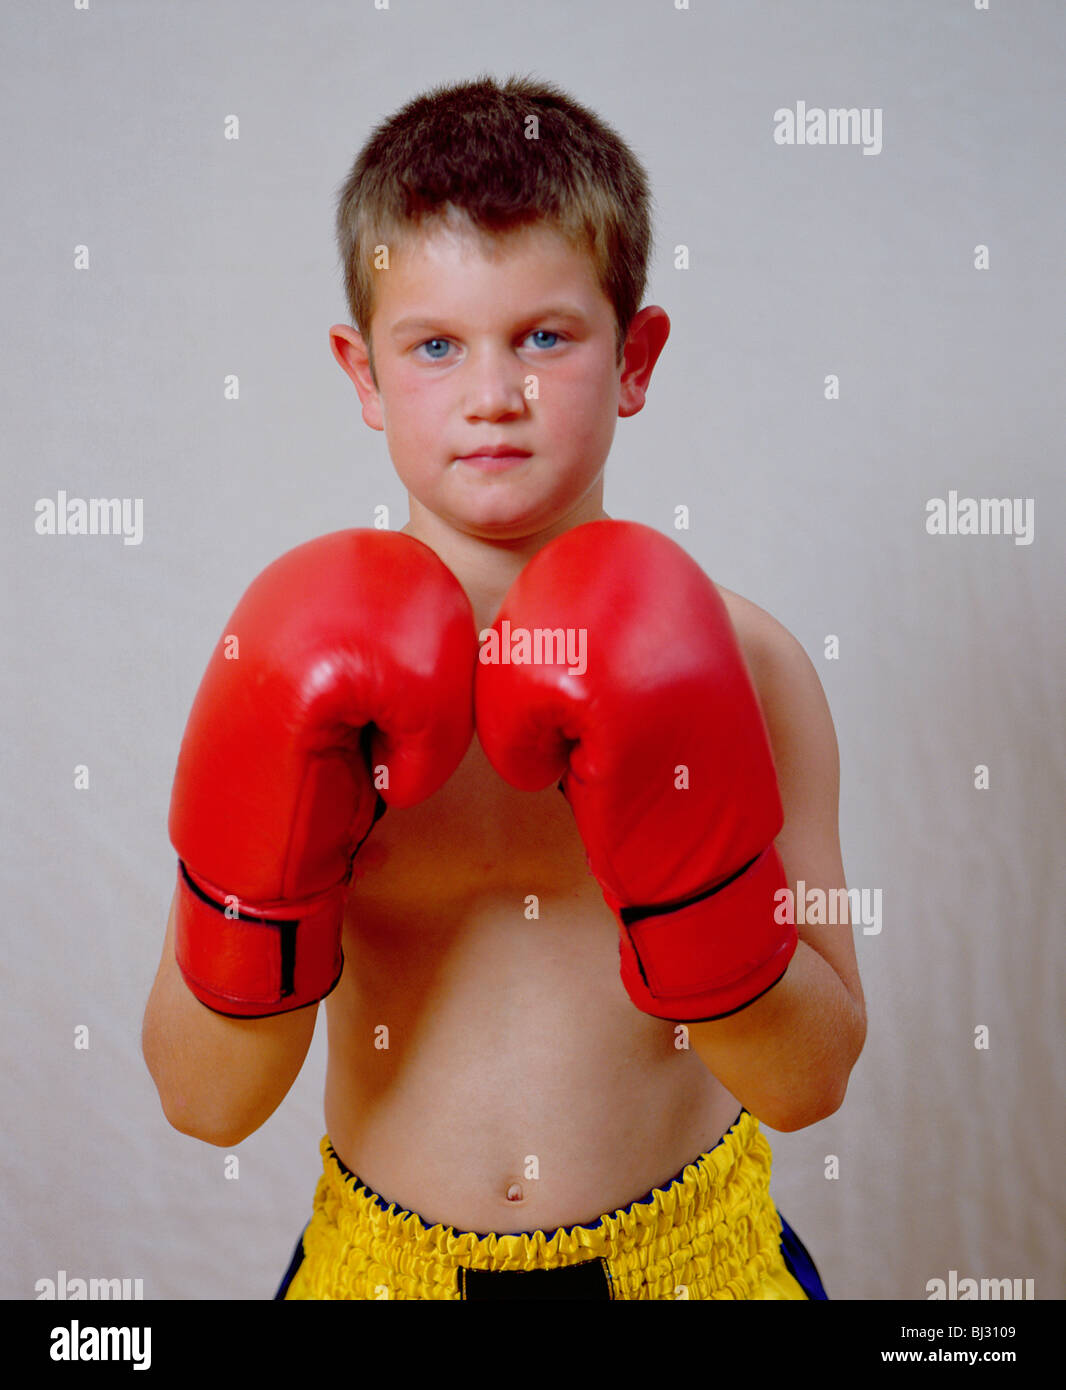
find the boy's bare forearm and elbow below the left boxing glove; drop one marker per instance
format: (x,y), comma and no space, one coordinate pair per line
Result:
(219,1079)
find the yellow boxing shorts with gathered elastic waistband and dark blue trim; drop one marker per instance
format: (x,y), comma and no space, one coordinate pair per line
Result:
(712,1232)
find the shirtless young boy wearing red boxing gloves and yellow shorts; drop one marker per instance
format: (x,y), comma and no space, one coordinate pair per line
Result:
(557,1021)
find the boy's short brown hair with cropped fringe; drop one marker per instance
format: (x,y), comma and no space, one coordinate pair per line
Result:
(465,148)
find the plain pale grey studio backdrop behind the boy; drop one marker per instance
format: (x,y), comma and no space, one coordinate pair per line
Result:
(213,256)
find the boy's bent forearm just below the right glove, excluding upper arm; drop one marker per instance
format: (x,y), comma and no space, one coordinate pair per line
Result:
(787,1057)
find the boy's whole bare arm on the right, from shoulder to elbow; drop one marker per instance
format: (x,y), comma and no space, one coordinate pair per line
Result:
(789,1057)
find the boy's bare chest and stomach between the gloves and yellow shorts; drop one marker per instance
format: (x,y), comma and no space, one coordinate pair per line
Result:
(519,1088)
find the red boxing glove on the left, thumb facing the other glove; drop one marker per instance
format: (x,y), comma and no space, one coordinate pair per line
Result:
(354,653)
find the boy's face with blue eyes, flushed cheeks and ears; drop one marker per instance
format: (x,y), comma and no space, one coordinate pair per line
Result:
(502,344)
